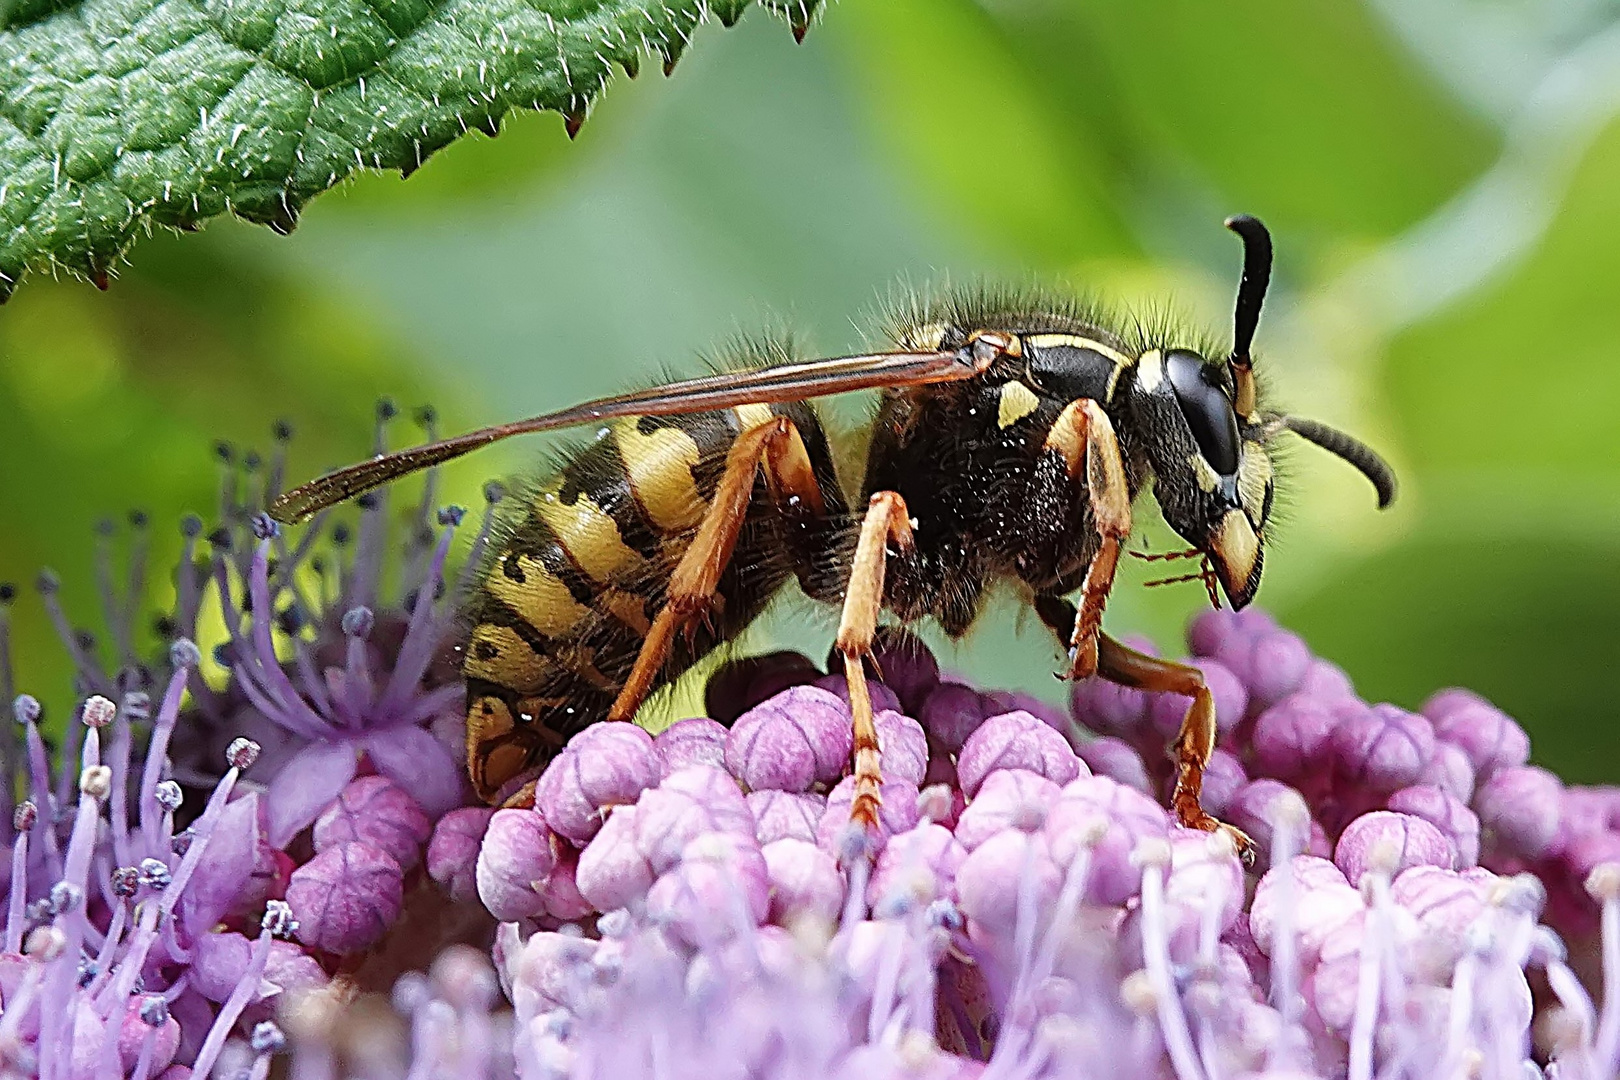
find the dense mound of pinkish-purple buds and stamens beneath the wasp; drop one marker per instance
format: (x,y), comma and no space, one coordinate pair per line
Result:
(696,901)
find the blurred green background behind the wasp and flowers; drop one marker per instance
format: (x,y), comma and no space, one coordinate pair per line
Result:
(1443,179)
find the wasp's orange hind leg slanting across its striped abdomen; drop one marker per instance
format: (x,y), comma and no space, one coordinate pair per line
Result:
(782,451)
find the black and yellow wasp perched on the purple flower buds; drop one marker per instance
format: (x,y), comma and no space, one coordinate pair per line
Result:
(1012,438)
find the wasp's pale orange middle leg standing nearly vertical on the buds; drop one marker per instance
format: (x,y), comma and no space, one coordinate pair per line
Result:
(887,521)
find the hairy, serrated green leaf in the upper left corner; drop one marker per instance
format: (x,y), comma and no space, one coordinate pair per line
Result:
(117,116)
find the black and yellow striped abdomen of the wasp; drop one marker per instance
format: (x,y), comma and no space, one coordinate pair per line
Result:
(582,568)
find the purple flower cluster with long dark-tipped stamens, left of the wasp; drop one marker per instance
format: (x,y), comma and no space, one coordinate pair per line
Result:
(147,869)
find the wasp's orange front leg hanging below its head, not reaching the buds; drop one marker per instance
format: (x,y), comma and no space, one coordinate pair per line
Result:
(1086,441)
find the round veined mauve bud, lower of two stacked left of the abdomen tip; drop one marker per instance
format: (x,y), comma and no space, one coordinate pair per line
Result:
(346,898)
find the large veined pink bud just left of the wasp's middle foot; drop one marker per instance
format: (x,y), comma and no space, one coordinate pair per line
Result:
(796,739)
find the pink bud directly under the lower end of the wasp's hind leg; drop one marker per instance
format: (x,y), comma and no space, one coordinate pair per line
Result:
(605,765)
